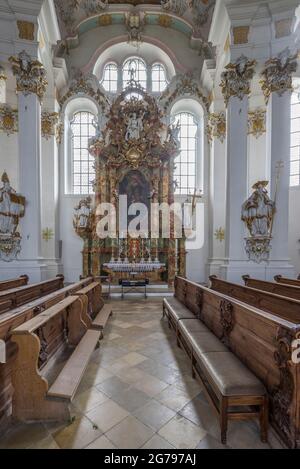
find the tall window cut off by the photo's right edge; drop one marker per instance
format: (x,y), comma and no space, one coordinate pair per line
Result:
(295,140)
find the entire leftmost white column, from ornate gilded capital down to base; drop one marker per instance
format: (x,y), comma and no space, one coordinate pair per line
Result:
(31,85)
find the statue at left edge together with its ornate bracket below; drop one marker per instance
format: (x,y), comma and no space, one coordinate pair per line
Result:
(12,208)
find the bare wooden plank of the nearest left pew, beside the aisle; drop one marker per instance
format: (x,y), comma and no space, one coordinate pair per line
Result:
(65,386)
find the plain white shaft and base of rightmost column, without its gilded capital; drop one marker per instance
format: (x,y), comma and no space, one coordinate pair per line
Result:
(278,150)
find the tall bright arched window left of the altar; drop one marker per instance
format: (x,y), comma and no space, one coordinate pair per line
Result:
(83,173)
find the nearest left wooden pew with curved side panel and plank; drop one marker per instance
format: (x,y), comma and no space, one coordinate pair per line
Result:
(40,342)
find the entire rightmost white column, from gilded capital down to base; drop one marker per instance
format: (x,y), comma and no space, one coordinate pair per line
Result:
(277,71)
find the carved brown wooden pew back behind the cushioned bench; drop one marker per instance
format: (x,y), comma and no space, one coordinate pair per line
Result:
(265,343)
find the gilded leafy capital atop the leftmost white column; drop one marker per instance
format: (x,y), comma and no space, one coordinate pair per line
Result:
(30,75)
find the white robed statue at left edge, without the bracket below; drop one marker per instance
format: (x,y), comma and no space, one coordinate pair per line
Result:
(12,207)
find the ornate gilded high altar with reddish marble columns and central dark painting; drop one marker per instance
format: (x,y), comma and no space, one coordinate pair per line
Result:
(134,158)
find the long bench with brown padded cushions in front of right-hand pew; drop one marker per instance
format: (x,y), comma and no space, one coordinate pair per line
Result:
(234,392)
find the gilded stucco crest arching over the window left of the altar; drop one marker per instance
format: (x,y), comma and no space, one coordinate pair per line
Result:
(85,85)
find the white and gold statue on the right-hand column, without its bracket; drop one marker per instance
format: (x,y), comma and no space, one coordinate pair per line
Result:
(258,211)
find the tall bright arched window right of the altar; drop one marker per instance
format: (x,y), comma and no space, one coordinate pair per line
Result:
(186,162)
